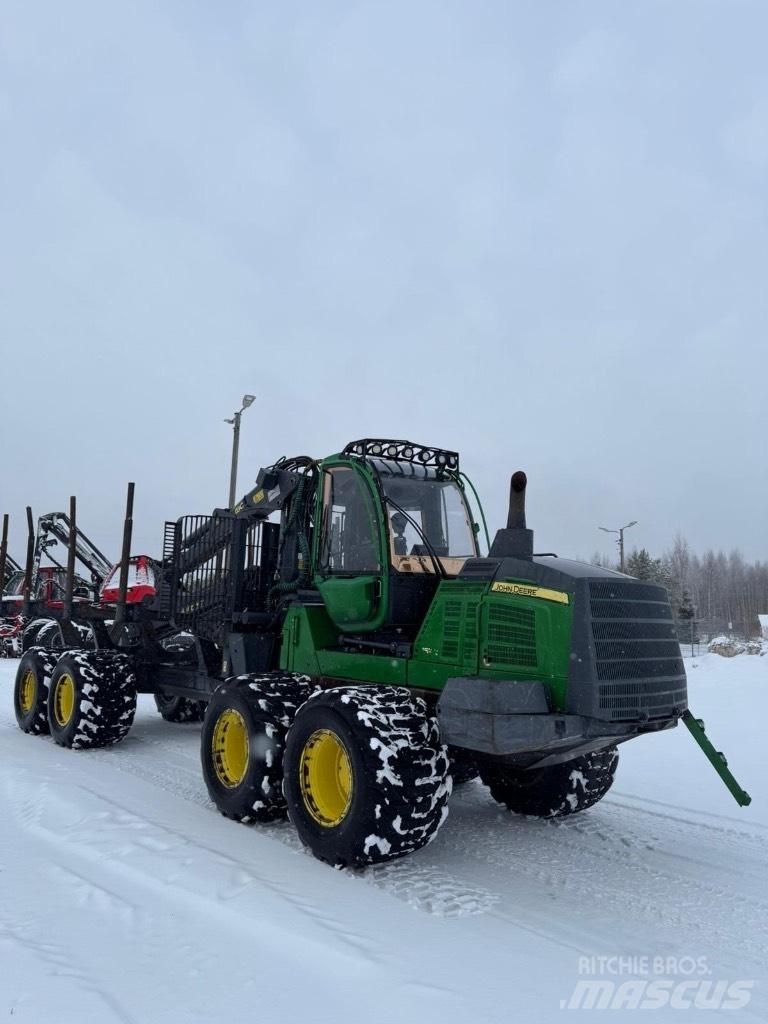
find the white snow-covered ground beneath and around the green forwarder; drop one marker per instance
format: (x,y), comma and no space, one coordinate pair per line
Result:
(124,898)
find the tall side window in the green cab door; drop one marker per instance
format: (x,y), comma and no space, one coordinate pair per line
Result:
(350,539)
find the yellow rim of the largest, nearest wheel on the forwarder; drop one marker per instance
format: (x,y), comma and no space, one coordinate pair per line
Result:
(326,774)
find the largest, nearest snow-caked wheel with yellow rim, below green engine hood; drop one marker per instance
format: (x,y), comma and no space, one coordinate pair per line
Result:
(367,779)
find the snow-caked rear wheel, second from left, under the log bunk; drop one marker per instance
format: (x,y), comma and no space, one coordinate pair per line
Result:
(92,699)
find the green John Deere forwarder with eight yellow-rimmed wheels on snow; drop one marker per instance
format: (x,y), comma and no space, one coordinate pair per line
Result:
(356,652)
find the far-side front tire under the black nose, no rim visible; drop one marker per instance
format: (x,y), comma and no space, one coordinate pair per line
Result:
(556,791)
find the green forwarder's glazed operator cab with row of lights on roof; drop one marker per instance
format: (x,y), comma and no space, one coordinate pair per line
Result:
(394,523)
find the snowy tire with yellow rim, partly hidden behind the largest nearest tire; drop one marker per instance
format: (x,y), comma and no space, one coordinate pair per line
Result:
(250,715)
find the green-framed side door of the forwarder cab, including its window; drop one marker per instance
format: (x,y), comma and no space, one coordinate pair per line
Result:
(350,560)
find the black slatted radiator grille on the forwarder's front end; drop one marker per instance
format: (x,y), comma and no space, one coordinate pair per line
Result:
(637,655)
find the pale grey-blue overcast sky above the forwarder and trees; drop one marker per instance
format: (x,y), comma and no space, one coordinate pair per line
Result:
(535,233)
